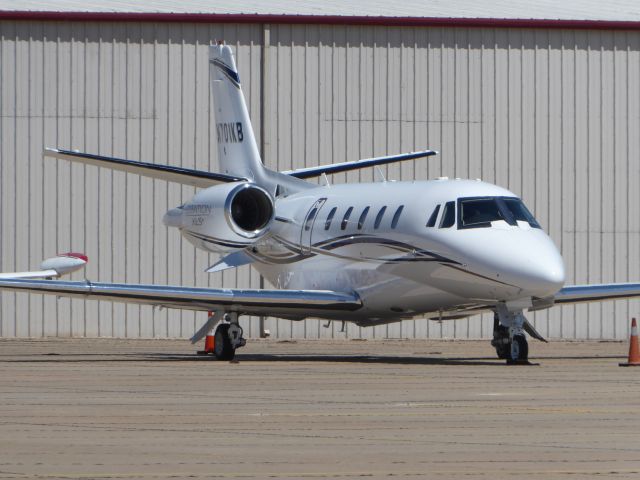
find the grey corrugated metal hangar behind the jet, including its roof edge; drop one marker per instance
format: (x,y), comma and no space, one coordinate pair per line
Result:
(541,98)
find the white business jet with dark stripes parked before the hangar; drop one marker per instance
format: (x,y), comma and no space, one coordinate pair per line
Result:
(370,254)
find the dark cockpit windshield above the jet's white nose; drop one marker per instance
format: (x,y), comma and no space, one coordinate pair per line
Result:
(479,212)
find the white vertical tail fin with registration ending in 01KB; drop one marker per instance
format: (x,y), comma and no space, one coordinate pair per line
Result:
(237,149)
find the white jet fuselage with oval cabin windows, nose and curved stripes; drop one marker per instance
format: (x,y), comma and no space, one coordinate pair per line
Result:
(407,248)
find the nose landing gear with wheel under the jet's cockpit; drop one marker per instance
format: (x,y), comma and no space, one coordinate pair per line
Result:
(509,338)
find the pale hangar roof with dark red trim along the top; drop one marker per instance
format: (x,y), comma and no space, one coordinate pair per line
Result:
(493,13)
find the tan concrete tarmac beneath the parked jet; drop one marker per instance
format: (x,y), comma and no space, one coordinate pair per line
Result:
(123,409)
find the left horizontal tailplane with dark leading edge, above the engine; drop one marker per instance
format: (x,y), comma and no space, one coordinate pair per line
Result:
(185,176)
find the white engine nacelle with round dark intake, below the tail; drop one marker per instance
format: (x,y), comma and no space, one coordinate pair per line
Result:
(225,217)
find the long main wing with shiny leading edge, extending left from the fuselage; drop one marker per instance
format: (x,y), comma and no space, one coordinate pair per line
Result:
(285,303)
